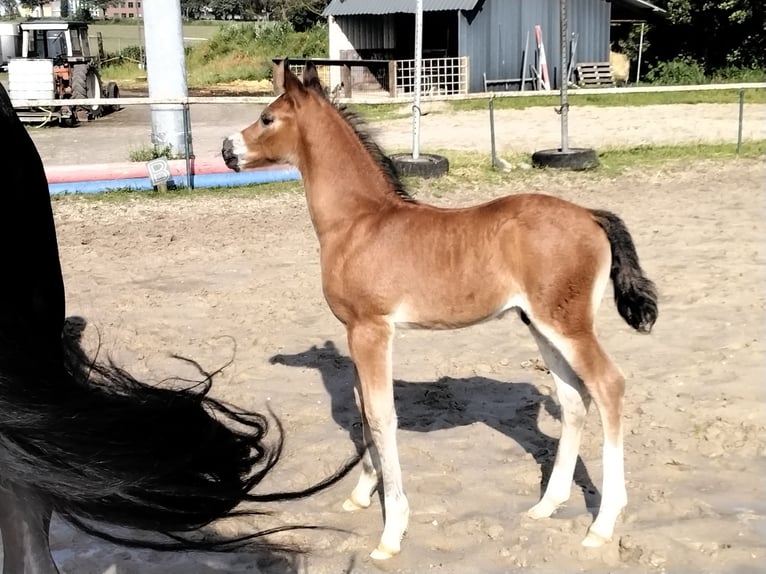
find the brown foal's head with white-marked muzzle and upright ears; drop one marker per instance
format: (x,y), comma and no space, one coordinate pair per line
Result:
(273,138)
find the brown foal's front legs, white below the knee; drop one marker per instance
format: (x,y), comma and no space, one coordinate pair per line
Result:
(371,347)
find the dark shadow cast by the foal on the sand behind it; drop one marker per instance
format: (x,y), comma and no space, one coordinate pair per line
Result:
(513,408)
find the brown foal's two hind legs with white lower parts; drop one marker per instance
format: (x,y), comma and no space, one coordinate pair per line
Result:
(604,382)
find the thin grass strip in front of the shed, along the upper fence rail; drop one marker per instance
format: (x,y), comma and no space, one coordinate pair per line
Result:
(752,96)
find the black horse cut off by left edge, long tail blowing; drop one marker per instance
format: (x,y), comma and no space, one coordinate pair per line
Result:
(87,440)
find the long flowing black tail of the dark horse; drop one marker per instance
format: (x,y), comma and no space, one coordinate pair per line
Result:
(102,447)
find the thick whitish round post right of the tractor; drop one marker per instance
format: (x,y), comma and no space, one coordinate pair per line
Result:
(165,70)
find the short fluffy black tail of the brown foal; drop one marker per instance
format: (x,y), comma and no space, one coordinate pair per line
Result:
(634,293)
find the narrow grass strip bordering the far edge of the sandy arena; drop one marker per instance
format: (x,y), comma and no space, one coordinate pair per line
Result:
(474,169)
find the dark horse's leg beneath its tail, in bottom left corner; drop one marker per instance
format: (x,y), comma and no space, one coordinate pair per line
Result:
(25,522)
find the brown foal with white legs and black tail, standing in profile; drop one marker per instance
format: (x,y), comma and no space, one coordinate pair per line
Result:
(388,260)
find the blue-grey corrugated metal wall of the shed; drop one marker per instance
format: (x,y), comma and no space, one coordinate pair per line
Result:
(495,37)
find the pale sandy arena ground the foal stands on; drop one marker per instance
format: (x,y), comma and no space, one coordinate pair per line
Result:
(478,424)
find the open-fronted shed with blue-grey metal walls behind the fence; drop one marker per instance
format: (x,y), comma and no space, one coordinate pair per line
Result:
(471,40)
